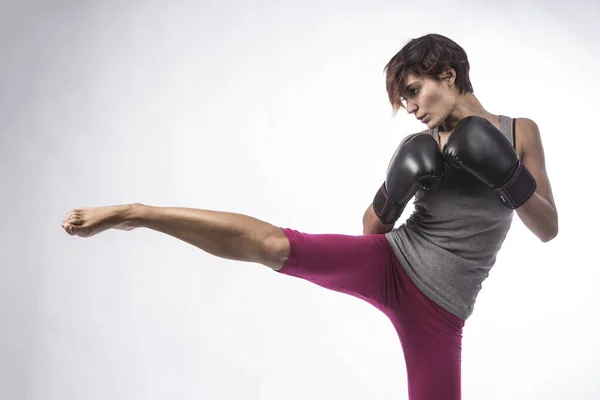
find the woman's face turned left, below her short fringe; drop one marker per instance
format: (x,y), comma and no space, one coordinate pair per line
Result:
(431,101)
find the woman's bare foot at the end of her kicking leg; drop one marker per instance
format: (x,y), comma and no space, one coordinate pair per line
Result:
(87,222)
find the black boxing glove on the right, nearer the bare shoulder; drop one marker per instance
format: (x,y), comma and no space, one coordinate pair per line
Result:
(480,148)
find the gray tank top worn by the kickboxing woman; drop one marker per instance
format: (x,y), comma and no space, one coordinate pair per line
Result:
(449,243)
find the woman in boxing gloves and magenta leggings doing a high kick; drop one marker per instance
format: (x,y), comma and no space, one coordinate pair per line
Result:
(468,172)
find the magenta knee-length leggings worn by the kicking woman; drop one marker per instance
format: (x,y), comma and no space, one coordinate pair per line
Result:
(366,267)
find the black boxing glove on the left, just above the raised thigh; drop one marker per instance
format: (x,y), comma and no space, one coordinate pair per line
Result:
(418,162)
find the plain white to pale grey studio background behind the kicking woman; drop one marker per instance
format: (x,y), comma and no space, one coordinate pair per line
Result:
(277,110)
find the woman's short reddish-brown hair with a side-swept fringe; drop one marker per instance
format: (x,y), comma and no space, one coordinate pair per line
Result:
(426,56)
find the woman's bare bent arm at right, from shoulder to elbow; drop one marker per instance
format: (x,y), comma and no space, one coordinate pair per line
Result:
(539,212)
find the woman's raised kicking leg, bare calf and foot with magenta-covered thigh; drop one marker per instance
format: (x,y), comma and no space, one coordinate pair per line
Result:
(361,266)
